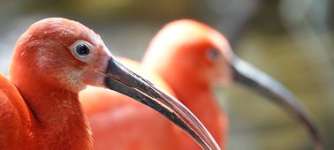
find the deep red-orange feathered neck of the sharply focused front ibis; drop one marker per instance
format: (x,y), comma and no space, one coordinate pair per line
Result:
(59,122)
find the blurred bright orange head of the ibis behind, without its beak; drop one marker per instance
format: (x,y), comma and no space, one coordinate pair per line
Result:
(195,51)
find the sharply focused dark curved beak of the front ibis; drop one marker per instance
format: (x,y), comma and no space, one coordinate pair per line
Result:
(121,79)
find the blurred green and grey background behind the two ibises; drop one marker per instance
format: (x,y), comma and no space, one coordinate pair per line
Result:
(291,40)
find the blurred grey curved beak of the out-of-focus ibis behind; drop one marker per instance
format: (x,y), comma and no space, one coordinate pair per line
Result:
(255,79)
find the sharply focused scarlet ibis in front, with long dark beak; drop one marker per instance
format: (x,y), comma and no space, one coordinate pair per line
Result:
(53,61)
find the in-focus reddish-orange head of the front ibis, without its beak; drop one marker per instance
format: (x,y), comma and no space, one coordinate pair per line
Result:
(62,53)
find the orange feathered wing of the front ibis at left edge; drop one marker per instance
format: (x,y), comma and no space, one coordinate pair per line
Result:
(15,118)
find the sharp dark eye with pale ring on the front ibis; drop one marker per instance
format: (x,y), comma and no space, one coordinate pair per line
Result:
(81,50)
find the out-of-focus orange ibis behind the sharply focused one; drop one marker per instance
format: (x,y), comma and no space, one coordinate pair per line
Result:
(190,58)
